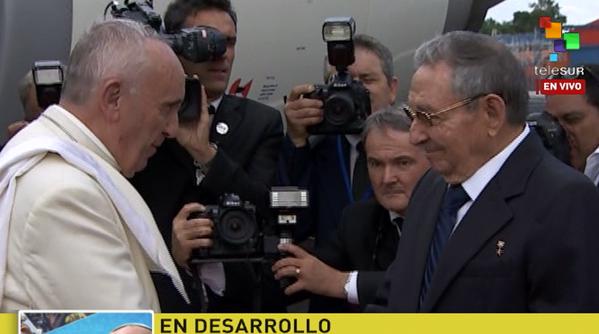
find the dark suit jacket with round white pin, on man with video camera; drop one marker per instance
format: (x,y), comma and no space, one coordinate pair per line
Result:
(245,164)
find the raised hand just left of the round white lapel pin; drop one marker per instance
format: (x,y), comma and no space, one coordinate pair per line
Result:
(194,135)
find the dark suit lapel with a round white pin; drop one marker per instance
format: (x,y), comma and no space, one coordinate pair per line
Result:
(228,116)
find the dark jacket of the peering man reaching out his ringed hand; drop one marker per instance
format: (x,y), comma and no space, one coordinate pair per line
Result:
(366,241)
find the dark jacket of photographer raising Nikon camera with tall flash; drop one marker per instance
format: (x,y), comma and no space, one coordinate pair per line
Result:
(316,167)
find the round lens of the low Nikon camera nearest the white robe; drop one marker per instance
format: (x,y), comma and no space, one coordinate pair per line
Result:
(236,227)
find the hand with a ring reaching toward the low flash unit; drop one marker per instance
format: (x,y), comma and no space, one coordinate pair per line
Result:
(313,275)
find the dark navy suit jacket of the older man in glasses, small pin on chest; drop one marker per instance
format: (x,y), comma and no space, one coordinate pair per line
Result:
(544,212)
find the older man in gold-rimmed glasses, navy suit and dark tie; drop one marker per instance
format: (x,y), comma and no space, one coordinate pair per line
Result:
(498,224)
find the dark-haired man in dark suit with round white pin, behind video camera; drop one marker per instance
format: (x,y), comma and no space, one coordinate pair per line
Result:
(233,151)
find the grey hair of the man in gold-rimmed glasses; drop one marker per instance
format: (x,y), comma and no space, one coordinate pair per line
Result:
(480,64)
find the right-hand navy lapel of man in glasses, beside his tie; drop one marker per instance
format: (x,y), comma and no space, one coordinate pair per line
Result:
(488,214)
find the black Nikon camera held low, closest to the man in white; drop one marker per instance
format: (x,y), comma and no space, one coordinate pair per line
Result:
(236,230)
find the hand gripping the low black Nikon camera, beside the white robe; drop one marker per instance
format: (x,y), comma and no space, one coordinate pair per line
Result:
(190,234)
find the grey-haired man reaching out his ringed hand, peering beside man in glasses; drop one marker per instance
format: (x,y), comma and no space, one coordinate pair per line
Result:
(352,266)
